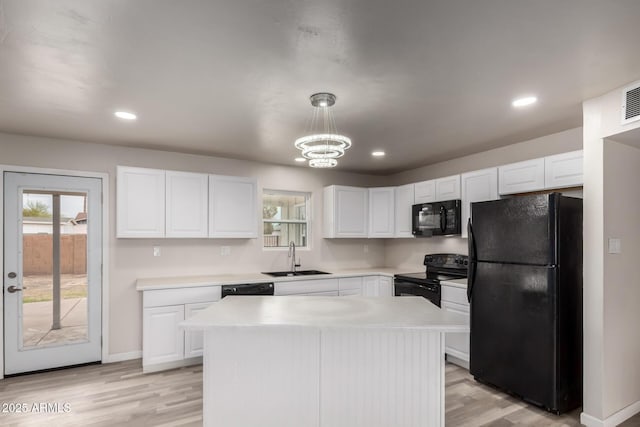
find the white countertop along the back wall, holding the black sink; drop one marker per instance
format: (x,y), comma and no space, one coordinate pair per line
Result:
(147,284)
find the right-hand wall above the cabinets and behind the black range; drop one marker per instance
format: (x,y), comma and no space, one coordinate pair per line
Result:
(407,254)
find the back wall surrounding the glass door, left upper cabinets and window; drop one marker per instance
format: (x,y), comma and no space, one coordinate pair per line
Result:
(133,258)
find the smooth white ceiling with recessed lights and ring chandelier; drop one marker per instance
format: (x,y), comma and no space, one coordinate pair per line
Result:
(424,80)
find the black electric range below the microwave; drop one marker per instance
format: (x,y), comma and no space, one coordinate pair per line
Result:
(426,284)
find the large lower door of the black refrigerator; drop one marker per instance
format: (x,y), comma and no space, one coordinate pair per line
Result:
(513,330)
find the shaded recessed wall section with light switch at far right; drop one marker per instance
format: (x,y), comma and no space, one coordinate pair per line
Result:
(621,289)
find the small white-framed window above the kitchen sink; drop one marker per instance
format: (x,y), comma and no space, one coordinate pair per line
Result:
(285,218)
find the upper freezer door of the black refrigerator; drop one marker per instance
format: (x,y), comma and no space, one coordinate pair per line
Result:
(519,230)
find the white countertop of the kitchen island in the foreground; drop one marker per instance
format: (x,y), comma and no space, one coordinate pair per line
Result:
(319,311)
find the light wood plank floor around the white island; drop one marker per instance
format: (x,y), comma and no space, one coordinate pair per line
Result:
(118,394)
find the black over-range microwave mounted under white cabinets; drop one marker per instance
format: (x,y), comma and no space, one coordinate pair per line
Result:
(437,219)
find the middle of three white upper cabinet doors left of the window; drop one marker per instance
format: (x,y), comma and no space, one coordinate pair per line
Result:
(186,204)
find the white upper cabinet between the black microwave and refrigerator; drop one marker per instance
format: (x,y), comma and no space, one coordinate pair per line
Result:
(477,186)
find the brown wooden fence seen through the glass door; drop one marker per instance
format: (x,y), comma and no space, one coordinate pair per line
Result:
(38,254)
